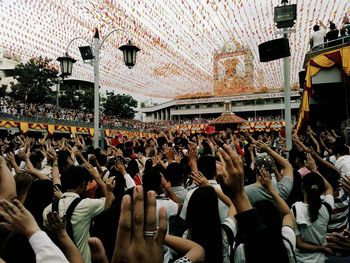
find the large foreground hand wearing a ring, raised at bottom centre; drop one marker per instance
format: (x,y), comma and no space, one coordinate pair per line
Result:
(138,238)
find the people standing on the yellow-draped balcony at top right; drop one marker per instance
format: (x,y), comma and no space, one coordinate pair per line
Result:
(320,38)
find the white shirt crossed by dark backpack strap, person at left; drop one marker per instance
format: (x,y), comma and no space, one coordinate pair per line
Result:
(85,211)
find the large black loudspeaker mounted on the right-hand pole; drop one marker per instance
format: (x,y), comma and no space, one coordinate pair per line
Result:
(274,49)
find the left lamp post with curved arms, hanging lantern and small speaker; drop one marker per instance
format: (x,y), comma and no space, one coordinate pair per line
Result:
(129,53)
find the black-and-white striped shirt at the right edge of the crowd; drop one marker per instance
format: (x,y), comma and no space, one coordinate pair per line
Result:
(339,218)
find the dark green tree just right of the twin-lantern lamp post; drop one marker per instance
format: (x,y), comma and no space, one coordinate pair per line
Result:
(120,106)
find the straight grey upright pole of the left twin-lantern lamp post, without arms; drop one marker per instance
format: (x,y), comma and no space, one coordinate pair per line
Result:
(96,89)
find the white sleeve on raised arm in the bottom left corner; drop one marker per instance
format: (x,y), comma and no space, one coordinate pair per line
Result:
(45,250)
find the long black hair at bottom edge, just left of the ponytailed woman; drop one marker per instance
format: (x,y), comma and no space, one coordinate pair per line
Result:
(271,218)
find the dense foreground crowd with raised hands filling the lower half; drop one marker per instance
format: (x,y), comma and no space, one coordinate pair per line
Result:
(176,197)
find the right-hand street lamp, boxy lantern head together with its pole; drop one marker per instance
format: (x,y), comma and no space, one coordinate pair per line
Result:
(284,17)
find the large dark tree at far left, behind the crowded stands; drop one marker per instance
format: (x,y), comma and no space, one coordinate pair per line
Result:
(34,80)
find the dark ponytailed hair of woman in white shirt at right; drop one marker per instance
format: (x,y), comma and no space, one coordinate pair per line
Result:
(313,186)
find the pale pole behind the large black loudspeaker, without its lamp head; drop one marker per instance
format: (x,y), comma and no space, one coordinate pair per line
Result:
(287,113)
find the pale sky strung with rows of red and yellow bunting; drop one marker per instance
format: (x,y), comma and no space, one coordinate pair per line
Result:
(177,38)
